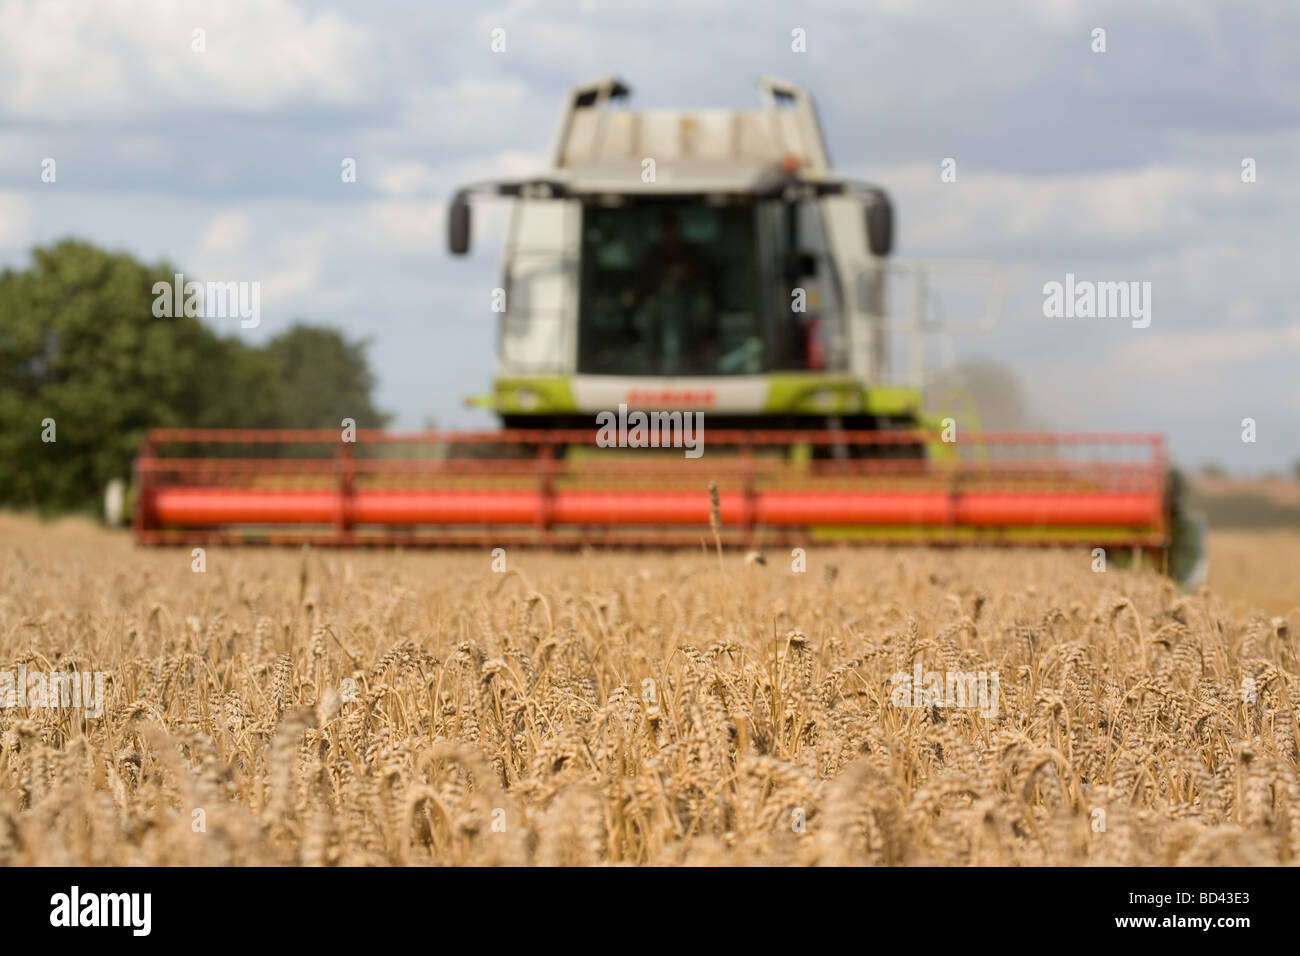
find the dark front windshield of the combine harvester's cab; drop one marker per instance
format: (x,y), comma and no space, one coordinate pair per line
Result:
(670,289)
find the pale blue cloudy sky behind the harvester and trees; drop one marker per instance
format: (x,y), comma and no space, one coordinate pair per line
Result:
(1116,166)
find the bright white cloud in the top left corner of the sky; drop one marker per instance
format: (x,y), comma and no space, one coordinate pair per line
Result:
(63,60)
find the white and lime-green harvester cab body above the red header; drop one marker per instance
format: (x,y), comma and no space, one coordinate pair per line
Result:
(704,261)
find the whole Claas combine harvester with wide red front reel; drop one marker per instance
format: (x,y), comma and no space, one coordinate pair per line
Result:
(681,262)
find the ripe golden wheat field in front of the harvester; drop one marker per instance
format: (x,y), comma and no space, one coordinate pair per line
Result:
(317,708)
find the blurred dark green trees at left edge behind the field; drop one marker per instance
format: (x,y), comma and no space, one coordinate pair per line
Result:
(80,345)
